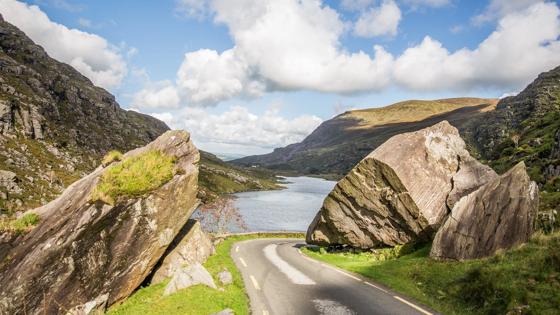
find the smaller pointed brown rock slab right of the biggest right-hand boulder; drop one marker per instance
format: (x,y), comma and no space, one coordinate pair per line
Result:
(498,215)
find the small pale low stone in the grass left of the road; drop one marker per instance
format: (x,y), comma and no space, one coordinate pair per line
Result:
(189,276)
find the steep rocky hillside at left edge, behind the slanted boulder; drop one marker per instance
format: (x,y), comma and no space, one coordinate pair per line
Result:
(55,125)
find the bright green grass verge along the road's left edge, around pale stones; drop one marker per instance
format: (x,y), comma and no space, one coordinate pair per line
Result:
(198,299)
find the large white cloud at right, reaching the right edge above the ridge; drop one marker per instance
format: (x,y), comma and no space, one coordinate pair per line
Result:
(524,44)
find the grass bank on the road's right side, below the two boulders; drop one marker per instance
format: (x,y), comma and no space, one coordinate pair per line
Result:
(525,279)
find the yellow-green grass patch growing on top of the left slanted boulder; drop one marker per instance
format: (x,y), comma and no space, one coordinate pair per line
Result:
(134,176)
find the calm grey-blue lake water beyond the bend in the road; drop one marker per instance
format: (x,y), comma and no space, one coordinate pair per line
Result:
(291,209)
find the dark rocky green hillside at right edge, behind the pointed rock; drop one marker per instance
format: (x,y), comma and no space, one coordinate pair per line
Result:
(525,127)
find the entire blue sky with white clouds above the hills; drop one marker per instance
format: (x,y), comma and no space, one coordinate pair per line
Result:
(246,76)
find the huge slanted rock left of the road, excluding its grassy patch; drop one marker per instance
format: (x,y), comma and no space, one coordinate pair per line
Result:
(82,251)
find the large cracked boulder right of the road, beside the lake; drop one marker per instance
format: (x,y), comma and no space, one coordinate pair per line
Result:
(401,192)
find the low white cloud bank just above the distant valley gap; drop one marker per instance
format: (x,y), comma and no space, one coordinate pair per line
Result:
(241,127)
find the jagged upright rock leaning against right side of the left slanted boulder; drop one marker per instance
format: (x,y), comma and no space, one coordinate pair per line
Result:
(190,246)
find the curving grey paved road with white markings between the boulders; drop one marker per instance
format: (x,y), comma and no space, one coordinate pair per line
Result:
(281,280)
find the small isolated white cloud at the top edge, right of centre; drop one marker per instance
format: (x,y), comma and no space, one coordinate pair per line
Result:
(378,21)
